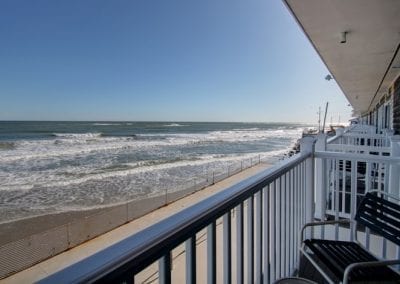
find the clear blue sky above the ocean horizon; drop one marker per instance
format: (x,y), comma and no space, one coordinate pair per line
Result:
(157,60)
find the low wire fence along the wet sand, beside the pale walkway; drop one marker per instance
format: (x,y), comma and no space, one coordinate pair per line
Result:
(23,253)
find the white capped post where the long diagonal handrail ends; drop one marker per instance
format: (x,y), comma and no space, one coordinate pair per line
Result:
(306,147)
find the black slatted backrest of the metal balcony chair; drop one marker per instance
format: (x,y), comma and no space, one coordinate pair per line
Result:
(381,216)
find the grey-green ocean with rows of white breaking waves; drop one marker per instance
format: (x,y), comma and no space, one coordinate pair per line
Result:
(48,167)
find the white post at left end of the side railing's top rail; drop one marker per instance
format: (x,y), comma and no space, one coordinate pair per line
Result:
(320,190)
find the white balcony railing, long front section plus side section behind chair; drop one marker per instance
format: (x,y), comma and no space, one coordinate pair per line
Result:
(250,232)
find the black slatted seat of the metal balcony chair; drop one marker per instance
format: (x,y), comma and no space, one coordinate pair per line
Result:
(337,255)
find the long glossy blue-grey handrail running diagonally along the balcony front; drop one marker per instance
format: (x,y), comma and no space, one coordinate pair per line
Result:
(139,250)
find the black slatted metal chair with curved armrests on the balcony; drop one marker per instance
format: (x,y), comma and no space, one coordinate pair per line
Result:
(342,261)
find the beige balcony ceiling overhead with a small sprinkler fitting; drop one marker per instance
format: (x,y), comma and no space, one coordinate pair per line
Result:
(364,66)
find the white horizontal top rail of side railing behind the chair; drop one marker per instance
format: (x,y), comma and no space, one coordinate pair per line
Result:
(358,157)
